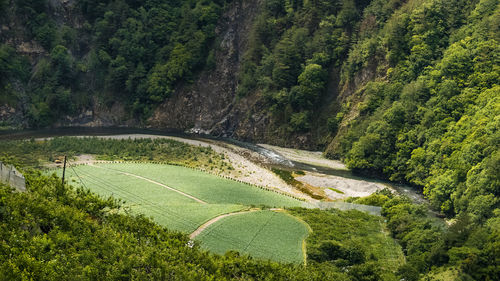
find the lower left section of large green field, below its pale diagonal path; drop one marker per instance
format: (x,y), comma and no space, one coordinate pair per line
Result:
(168,208)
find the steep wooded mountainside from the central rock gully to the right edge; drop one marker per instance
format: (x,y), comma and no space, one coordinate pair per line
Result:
(414,99)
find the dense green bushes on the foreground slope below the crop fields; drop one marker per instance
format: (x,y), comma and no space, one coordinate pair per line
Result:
(55,232)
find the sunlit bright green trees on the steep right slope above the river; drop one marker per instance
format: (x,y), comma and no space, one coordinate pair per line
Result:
(433,121)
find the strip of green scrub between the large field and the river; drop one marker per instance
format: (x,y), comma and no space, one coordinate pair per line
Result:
(37,153)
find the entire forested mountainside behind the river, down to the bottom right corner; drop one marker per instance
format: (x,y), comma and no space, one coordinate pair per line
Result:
(401,90)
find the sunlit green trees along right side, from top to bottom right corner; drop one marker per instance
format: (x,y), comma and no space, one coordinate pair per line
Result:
(433,122)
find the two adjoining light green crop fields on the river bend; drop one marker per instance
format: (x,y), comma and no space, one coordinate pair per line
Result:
(183,199)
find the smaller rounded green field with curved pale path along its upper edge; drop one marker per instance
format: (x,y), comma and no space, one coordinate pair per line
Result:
(262,234)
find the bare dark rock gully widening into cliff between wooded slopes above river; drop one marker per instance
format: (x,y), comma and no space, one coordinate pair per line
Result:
(210,105)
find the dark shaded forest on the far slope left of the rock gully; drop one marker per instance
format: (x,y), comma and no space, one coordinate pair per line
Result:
(133,52)
